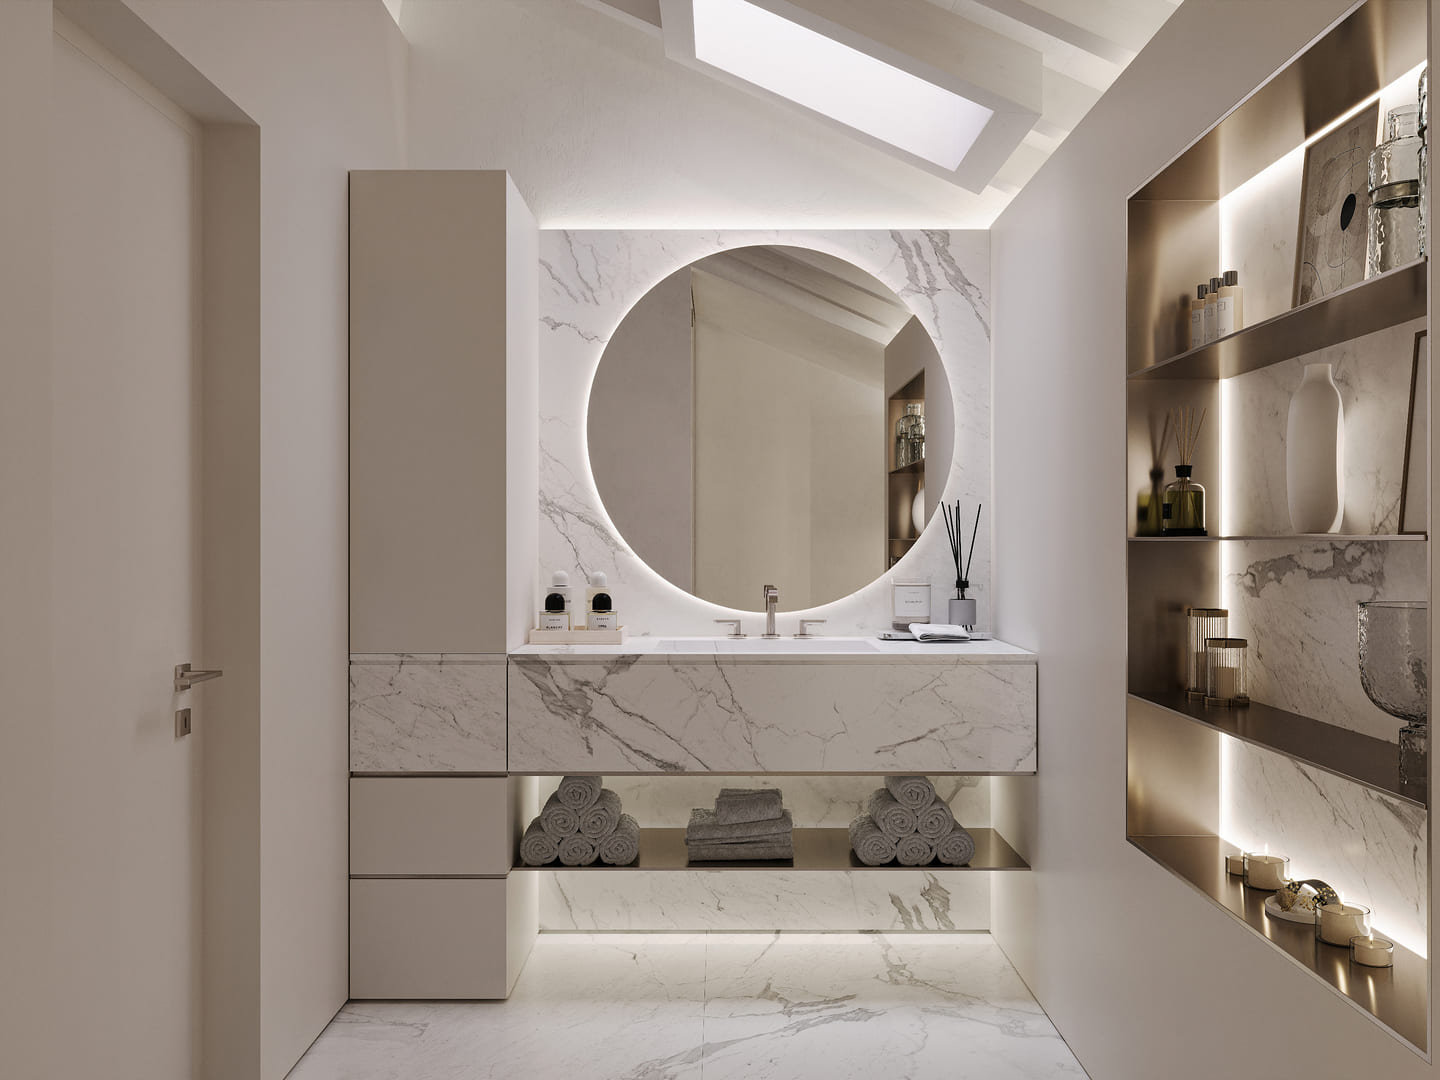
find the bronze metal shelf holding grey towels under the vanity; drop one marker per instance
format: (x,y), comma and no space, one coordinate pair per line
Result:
(816,849)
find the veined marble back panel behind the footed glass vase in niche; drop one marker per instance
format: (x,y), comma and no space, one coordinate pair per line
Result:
(1295,604)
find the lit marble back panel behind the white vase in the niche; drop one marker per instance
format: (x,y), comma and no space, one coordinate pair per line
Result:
(1373,375)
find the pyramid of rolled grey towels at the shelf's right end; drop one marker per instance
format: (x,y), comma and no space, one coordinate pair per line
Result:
(911,824)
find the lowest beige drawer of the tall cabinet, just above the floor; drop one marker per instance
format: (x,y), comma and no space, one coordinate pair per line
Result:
(436,938)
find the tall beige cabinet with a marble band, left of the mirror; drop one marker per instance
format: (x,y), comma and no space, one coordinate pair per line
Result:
(444,479)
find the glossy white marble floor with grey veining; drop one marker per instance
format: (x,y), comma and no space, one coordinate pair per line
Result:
(676,1007)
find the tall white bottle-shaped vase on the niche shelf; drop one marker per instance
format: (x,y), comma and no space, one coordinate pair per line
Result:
(1315,454)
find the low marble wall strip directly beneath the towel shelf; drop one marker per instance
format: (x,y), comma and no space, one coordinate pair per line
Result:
(806,901)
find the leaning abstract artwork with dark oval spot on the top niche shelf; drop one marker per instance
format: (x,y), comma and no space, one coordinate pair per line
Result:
(1334,210)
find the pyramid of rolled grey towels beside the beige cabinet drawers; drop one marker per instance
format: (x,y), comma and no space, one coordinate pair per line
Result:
(580,824)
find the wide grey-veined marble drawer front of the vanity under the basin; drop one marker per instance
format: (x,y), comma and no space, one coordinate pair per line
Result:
(621,716)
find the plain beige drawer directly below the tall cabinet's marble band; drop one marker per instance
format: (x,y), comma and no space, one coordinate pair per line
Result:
(460,826)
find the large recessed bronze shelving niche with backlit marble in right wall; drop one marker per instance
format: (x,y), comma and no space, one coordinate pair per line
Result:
(1311,767)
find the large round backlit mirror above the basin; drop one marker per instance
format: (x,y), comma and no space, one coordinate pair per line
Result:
(741,427)
